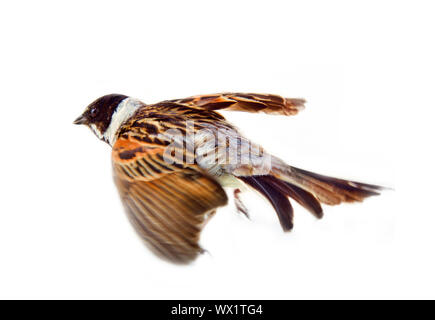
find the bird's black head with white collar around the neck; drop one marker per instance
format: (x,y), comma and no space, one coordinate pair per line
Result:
(105,115)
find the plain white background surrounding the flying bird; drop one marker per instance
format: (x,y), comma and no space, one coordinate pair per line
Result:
(367,71)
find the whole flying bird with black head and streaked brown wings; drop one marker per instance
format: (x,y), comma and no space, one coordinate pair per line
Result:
(173,160)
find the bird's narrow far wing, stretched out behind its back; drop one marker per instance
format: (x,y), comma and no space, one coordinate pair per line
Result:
(247,102)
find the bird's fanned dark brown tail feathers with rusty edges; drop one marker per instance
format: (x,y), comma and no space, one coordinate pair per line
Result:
(308,189)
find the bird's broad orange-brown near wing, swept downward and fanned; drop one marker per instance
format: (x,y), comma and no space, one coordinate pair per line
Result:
(168,204)
